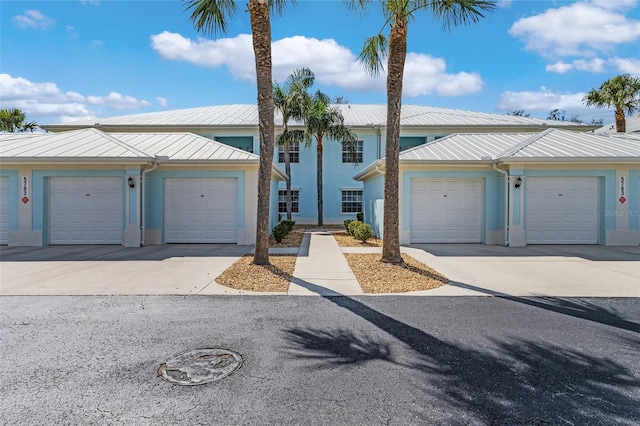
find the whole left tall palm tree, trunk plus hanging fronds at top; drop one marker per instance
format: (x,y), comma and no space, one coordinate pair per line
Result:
(210,16)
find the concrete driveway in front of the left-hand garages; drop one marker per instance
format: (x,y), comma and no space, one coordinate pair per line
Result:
(104,269)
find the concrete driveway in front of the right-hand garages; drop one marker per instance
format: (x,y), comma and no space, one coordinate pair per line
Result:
(558,271)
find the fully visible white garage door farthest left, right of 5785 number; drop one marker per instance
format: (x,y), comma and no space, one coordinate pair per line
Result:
(85,210)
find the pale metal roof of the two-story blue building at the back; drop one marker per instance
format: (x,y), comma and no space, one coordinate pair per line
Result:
(356,115)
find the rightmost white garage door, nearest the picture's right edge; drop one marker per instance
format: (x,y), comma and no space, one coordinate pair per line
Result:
(561,210)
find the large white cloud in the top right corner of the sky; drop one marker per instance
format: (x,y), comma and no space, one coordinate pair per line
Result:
(580,29)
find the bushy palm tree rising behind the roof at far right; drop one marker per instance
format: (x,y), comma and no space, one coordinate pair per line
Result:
(621,92)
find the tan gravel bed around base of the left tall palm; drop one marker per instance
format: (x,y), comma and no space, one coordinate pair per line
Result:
(244,275)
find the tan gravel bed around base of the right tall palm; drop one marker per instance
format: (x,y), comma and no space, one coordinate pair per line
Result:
(376,276)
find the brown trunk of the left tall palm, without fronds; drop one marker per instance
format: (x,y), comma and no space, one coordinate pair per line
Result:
(261,30)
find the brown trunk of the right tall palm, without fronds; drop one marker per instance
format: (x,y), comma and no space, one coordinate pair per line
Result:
(395,72)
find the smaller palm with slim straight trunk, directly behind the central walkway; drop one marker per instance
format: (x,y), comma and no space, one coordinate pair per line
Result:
(323,120)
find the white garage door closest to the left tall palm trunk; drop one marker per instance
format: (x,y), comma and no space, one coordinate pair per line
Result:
(201,210)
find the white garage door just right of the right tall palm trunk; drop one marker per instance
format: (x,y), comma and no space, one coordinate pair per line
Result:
(446,210)
